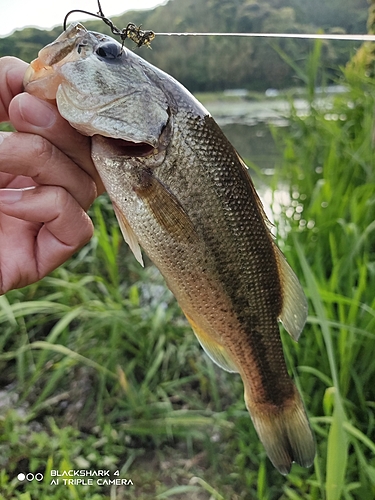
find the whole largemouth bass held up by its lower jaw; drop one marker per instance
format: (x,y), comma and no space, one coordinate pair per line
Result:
(182,193)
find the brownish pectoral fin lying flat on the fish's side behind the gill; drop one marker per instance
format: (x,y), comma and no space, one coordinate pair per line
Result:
(166,209)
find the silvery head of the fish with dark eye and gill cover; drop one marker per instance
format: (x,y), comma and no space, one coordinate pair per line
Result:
(101,88)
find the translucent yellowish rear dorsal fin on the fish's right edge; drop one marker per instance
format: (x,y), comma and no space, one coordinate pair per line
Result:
(294,312)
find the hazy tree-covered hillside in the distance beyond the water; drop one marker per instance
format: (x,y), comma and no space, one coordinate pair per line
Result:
(203,63)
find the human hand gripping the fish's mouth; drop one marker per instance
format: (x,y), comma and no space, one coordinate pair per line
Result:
(47,182)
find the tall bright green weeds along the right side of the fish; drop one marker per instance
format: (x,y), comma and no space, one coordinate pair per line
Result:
(329,171)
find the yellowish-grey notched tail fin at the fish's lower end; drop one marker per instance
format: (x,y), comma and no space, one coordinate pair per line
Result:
(284,431)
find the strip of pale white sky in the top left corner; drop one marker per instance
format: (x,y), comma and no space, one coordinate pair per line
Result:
(16,14)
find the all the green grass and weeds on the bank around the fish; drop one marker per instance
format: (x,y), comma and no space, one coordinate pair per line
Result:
(101,371)
